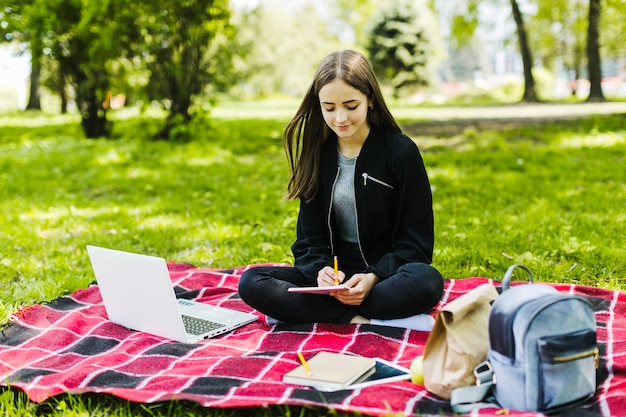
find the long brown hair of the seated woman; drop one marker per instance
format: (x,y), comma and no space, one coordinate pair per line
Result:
(307,131)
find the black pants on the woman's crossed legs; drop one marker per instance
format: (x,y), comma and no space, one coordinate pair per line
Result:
(415,288)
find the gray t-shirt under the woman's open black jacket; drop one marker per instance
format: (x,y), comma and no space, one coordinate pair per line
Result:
(343,200)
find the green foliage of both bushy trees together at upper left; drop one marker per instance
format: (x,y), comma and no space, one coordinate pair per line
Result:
(181,46)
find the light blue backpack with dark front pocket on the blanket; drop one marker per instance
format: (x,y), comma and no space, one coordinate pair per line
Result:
(543,351)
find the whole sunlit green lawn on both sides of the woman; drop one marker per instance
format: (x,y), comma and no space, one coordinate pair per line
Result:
(550,196)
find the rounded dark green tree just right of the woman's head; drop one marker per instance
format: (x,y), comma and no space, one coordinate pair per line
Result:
(402,47)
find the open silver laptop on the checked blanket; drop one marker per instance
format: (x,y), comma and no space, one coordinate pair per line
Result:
(138,294)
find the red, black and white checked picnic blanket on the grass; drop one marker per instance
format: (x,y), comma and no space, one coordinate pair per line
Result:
(69,346)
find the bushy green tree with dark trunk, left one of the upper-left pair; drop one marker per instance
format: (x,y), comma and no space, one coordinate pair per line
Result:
(83,38)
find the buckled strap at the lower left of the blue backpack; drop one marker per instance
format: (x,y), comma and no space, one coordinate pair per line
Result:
(466,399)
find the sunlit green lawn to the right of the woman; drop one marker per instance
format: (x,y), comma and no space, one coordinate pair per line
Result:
(542,197)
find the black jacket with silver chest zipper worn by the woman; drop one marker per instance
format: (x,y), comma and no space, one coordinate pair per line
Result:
(393,204)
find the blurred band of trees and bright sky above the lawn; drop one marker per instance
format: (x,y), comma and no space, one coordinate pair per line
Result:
(61,55)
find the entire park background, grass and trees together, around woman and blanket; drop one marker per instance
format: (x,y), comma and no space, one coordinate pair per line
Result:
(156,128)
